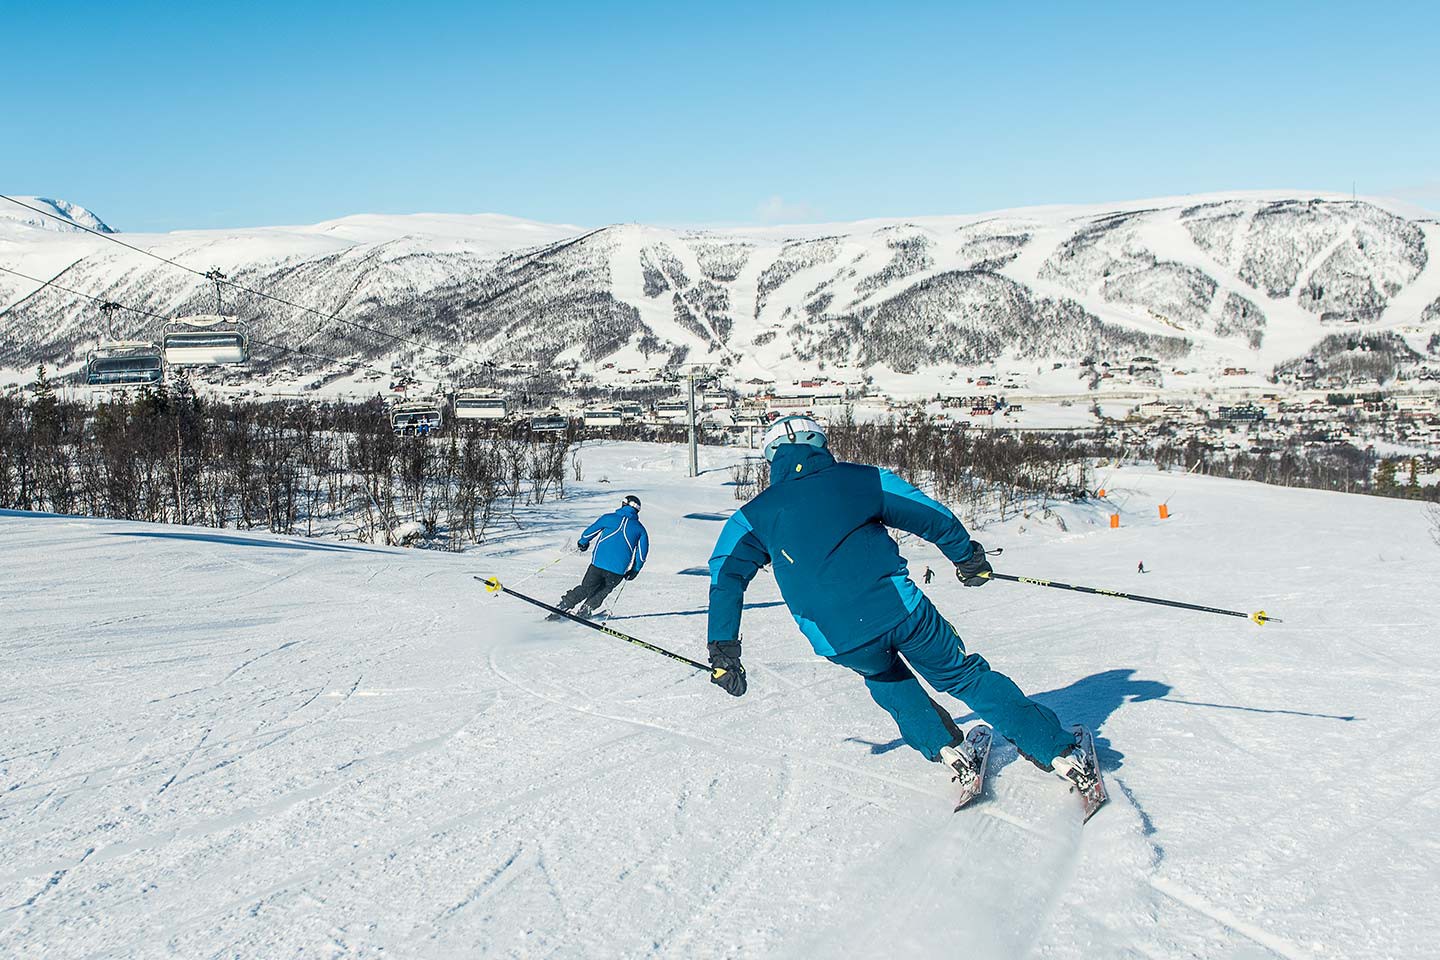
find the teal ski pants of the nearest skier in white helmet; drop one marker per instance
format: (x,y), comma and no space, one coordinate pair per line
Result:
(938,654)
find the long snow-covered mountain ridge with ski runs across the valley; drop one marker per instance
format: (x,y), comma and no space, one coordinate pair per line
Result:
(1252,280)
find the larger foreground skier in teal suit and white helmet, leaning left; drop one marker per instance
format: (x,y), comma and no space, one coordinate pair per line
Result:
(823,527)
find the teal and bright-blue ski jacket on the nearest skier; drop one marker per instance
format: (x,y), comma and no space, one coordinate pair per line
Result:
(823,525)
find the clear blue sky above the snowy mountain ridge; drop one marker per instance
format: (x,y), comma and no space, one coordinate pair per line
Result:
(198,116)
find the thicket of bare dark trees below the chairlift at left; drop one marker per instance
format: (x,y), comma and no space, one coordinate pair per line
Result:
(165,456)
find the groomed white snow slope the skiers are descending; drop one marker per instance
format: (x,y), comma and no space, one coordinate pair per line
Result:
(224,743)
